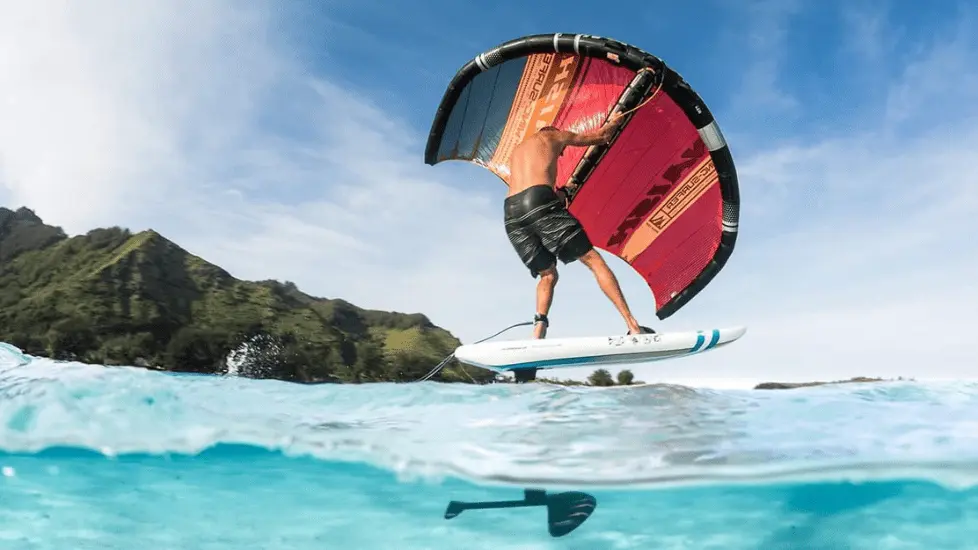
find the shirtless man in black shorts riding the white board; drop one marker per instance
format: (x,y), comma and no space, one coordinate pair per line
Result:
(540,227)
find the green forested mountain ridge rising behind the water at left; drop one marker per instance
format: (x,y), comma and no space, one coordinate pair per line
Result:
(114,297)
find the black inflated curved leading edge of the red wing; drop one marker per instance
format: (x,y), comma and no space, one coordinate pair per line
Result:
(635,59)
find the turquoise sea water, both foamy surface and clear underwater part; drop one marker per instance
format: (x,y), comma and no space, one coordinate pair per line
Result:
(106,457)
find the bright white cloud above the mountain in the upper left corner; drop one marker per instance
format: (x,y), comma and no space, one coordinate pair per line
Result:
(108,107)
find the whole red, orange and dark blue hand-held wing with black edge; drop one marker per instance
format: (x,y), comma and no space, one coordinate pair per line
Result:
(662,196)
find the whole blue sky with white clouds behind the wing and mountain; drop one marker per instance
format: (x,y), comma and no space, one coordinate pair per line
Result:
(287,143)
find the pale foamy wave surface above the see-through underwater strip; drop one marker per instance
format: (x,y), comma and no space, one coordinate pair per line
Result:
(531,433)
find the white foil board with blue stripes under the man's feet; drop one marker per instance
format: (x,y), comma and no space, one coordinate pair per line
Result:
(510,355)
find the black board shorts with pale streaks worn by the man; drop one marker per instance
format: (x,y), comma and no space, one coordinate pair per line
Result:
(541,229)
